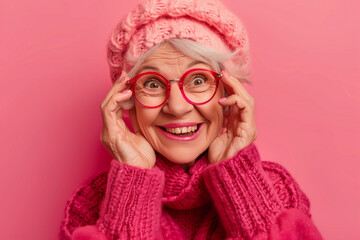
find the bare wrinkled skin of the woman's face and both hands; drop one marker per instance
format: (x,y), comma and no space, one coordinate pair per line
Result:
(222,135)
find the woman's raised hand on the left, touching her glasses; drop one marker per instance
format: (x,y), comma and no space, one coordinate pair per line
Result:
(125,146)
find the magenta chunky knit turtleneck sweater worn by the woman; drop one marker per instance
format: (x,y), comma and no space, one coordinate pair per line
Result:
(239,198)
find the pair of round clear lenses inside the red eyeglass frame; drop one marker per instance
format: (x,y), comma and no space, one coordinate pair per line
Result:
(198,86)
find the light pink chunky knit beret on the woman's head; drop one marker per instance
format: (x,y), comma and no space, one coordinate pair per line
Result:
(206,21)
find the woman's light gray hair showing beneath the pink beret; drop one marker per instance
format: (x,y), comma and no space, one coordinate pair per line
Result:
(219,61)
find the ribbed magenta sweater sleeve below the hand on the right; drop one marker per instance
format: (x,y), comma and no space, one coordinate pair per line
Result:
(248,205)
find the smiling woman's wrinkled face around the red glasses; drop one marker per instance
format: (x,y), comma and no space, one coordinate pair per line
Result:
(160,125)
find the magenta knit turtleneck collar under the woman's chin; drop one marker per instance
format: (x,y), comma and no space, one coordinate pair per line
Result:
(183,190)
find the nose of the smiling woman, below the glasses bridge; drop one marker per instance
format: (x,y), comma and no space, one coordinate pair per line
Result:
(176,104)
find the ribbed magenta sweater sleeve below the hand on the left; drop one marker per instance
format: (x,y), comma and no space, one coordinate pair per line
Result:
(131,208)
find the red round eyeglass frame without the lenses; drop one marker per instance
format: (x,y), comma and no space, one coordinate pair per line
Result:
(131,83)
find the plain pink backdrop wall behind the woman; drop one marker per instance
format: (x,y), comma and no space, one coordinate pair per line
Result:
(54,75)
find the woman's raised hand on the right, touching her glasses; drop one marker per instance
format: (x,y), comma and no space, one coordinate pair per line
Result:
(239,122)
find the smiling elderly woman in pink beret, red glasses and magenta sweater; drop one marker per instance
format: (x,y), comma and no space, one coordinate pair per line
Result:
(189,169)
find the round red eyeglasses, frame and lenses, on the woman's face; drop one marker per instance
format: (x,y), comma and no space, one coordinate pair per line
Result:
(151,89)
